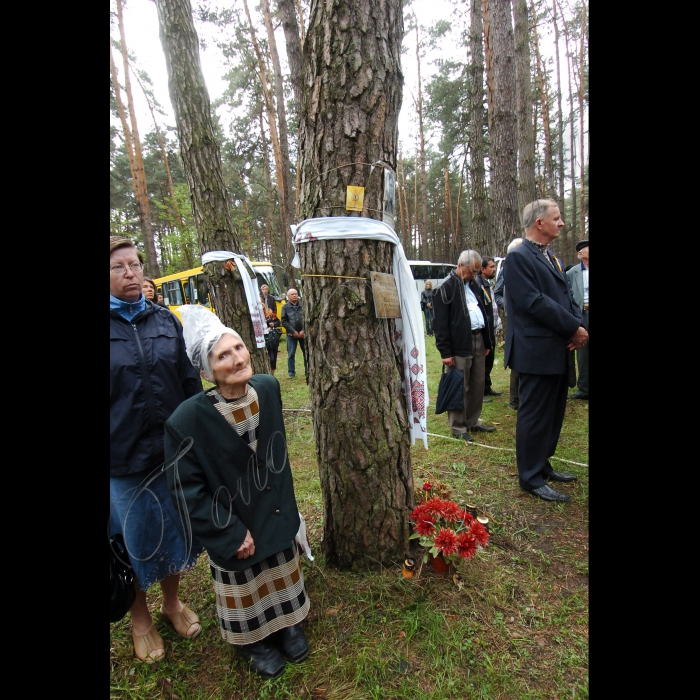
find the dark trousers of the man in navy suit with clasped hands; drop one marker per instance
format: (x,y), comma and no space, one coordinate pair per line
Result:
(540,417)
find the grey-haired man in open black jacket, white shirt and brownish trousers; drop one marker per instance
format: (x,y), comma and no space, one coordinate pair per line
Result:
(462,339)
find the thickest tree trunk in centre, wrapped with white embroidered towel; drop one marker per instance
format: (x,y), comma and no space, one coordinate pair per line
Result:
(352,82)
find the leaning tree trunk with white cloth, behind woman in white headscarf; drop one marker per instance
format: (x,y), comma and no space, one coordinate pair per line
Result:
(201,158)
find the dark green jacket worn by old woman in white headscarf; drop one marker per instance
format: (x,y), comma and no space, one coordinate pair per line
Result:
(224,486)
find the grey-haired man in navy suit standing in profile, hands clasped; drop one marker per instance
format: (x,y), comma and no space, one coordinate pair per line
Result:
(544,324)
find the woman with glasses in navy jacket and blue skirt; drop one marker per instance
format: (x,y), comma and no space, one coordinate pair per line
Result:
(149,376)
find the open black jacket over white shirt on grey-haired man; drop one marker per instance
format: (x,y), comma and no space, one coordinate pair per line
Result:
(453,331)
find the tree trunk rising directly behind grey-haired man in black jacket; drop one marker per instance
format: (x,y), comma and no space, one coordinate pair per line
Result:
(477,169)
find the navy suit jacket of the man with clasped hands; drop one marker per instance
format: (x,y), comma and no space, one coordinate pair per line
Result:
(542,315)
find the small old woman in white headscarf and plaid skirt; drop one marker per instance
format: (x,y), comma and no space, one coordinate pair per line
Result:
(228,467)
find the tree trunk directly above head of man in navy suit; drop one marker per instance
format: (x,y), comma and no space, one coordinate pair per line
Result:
(527,191)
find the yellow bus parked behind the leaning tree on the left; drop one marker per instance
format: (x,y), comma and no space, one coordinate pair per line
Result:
(190,287)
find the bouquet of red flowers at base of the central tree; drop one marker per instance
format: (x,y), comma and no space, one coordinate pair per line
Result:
(445,528)
